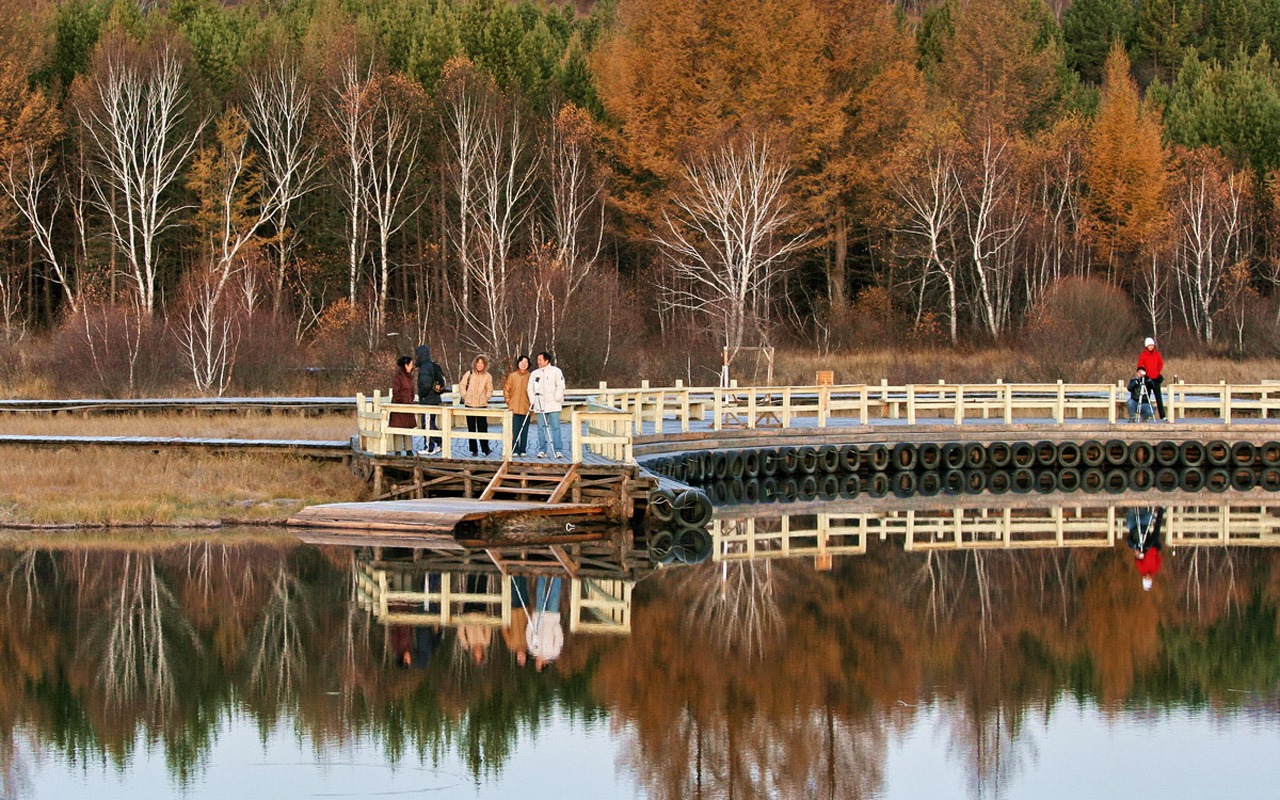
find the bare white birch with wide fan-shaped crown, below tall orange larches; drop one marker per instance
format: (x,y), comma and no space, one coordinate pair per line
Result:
(729,235)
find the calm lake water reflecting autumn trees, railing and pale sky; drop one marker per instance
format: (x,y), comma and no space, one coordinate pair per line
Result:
(904,666)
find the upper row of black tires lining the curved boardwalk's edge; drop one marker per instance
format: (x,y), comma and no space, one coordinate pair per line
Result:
(707,467)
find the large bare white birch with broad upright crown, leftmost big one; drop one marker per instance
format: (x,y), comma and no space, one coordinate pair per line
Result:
(134,109)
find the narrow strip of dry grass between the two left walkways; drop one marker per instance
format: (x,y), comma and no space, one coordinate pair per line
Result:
(220,426)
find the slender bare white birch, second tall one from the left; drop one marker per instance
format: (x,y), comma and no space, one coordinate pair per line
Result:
(280,117)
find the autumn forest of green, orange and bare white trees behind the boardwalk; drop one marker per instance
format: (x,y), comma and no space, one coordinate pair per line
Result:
(205,196)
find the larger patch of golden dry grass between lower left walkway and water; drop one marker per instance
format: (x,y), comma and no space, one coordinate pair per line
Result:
(100,487)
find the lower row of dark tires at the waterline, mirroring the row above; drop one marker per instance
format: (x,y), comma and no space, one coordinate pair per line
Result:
(1022,481)
